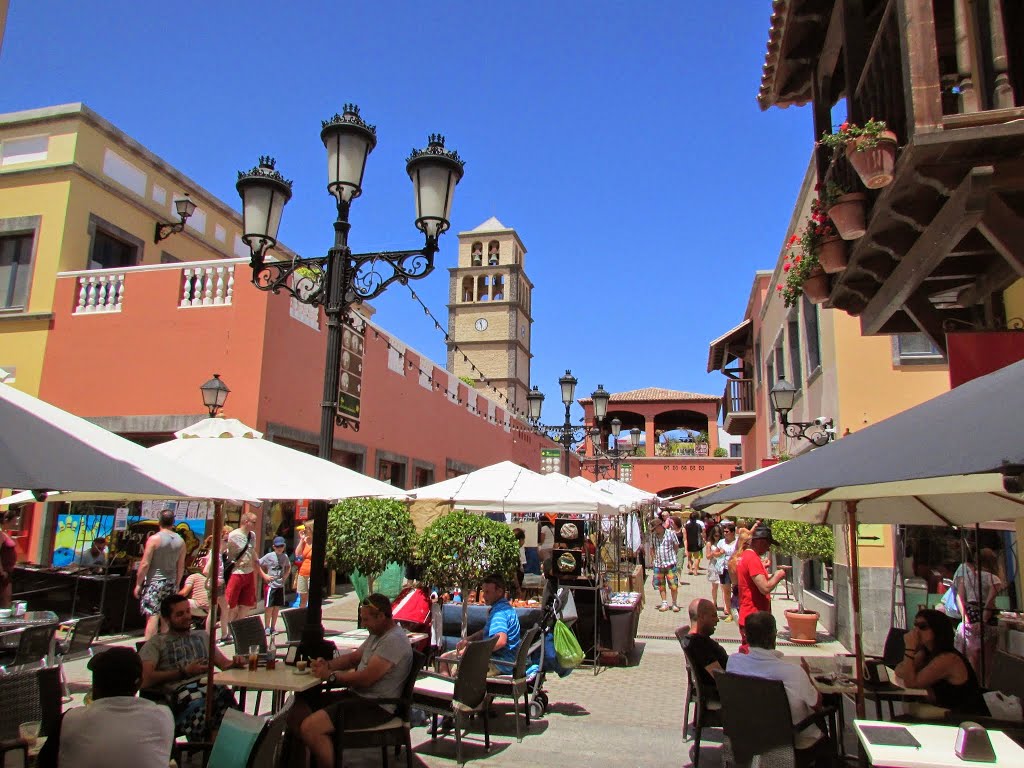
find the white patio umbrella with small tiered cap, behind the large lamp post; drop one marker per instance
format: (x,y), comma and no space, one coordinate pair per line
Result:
(231,450)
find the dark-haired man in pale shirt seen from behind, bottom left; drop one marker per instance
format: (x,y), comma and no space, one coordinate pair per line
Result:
(118,730)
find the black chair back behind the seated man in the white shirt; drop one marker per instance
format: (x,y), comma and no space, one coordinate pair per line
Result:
(758,723)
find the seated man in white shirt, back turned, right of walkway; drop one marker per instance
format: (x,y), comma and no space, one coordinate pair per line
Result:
(764,662)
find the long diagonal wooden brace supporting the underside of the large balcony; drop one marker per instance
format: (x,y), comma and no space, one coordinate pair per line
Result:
(957,218)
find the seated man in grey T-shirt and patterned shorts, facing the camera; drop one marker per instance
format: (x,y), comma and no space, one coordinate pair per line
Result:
(174,658)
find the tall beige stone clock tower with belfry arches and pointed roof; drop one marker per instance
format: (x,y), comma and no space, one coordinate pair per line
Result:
(490,313)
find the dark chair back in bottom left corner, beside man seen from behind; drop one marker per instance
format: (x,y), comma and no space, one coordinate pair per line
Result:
(27,696)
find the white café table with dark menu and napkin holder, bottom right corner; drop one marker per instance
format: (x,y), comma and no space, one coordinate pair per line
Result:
(937,748)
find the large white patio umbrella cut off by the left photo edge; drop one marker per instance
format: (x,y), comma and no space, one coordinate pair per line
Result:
(47,450)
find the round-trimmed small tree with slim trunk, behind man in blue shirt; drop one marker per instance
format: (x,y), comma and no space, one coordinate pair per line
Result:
(460,549)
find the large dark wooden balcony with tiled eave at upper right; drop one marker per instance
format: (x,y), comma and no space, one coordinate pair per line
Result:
(945,239)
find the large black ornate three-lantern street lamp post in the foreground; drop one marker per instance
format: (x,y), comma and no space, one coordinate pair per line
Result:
(342,279)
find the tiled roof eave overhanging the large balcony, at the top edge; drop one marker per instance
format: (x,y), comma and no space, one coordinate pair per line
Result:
(794,39)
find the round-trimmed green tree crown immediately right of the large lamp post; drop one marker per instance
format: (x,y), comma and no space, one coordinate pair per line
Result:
(367,535)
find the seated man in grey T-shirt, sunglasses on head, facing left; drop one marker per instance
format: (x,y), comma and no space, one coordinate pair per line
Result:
(376,670)
